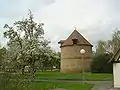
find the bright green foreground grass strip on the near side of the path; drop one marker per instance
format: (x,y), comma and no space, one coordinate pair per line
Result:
(52,85)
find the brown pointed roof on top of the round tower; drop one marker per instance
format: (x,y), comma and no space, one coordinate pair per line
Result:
(75,35)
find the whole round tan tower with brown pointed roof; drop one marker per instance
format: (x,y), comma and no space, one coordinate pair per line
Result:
(71,58)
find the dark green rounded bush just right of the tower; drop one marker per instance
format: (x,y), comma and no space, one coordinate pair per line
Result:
(100,63)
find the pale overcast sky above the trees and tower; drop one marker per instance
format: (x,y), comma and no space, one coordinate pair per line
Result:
(95,19)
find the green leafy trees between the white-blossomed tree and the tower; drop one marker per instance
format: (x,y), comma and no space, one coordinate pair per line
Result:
(50,60)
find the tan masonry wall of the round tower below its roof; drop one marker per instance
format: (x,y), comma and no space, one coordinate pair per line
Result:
(71,59)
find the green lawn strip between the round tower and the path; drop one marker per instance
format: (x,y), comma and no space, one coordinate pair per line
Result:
(76,76)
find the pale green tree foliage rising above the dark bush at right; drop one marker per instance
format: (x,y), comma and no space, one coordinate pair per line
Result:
(111,45)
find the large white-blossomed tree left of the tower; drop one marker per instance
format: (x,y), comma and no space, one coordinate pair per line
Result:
(26,42)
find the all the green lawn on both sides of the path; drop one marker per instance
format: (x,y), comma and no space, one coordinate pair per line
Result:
(39,85)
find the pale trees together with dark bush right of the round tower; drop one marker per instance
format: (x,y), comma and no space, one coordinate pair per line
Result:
(104,52)
